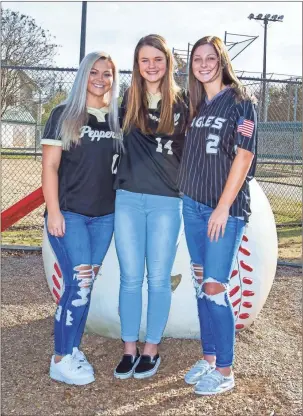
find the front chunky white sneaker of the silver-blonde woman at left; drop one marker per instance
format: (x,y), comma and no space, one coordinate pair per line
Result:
(69,371)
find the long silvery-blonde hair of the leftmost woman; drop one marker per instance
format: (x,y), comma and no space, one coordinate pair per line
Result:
(75,115)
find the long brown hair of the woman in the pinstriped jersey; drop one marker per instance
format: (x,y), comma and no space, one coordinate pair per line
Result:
(196,88)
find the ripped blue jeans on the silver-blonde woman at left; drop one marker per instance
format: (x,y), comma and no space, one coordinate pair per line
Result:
(80,253)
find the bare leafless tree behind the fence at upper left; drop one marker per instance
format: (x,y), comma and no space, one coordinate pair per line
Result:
(23,43)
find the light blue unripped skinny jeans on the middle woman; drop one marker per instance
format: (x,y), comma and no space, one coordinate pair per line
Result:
(147,228)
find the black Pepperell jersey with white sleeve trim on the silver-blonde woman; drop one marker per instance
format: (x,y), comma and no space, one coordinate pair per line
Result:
(86,171)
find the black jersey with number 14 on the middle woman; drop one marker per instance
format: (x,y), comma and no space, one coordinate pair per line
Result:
(150,162)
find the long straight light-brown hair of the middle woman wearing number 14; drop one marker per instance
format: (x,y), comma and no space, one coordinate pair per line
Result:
(137,103)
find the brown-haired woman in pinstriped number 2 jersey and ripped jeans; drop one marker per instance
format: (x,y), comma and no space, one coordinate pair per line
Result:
(217,164)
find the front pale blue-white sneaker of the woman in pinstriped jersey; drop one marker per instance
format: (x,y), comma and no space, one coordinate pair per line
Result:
(214,383)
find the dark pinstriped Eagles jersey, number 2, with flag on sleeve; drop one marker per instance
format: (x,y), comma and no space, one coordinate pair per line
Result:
(221,126)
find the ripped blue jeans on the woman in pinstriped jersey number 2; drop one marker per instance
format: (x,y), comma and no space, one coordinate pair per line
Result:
(212,262)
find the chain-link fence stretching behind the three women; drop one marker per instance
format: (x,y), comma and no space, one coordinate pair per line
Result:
(29,95)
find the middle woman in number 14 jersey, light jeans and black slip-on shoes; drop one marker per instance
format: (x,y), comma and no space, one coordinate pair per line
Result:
(148,204)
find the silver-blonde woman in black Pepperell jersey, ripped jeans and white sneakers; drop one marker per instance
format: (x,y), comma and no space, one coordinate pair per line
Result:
(79,153)
